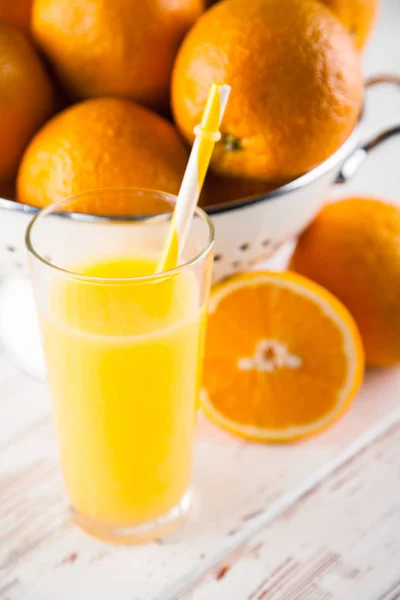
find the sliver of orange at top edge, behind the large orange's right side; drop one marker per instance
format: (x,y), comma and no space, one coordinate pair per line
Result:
(358,16)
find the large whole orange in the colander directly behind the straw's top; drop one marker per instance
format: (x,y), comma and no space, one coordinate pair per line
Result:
(296,85)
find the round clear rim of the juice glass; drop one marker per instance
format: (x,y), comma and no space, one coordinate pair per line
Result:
(89,218)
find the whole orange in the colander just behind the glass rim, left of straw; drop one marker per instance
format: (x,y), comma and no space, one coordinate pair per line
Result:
(101,143)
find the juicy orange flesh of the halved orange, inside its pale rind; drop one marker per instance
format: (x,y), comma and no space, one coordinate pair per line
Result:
(287,396)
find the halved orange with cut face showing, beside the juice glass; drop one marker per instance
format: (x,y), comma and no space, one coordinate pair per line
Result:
(283,357)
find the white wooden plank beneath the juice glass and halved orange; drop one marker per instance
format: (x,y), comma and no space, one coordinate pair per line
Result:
(239,487)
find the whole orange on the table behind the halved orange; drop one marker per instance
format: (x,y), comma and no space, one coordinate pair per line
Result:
(352,248)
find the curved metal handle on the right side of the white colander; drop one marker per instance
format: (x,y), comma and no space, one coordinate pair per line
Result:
(357,157)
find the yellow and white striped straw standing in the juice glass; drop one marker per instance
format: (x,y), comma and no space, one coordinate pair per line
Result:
(207,134)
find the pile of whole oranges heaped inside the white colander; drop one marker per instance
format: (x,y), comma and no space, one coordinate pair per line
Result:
(293,66)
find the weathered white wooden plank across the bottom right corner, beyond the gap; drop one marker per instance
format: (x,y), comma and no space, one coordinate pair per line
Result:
(341,541)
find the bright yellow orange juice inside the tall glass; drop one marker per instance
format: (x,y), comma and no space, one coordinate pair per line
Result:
(124,367)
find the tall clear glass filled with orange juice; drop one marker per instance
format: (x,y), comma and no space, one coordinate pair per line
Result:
(123,347)
